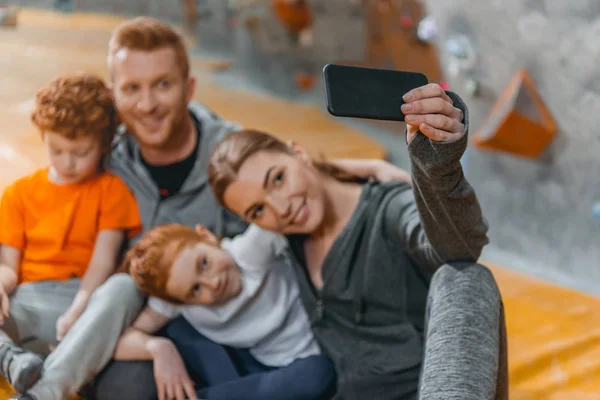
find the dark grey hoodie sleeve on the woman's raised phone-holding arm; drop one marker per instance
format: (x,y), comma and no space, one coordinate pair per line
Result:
(441,220)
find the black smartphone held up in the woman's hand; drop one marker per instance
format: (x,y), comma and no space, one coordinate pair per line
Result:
(370,93)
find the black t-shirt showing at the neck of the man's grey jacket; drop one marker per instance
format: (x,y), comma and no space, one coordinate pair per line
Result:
(169,178)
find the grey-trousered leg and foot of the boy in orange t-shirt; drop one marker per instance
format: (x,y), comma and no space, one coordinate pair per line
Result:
(34,309)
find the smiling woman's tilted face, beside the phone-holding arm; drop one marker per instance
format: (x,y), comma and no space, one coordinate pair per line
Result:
(279,192)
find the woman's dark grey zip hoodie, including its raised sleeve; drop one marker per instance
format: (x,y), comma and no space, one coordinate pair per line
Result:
(369,315)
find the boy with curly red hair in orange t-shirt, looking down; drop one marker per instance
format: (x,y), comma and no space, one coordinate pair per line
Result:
(62,228)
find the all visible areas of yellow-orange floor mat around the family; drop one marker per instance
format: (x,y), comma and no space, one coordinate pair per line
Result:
(554,333)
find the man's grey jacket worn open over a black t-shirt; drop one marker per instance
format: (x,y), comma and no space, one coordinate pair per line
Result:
(195,203)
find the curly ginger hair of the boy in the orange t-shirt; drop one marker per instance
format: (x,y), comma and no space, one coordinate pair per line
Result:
(75,106)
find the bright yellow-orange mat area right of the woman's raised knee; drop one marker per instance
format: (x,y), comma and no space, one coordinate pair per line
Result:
(553,339)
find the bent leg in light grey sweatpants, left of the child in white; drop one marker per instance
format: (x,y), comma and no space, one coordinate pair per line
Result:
(91,342)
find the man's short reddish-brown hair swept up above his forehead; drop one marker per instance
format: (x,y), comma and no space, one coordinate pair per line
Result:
(148,34)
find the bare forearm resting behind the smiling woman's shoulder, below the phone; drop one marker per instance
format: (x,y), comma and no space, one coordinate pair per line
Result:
(380,170)
